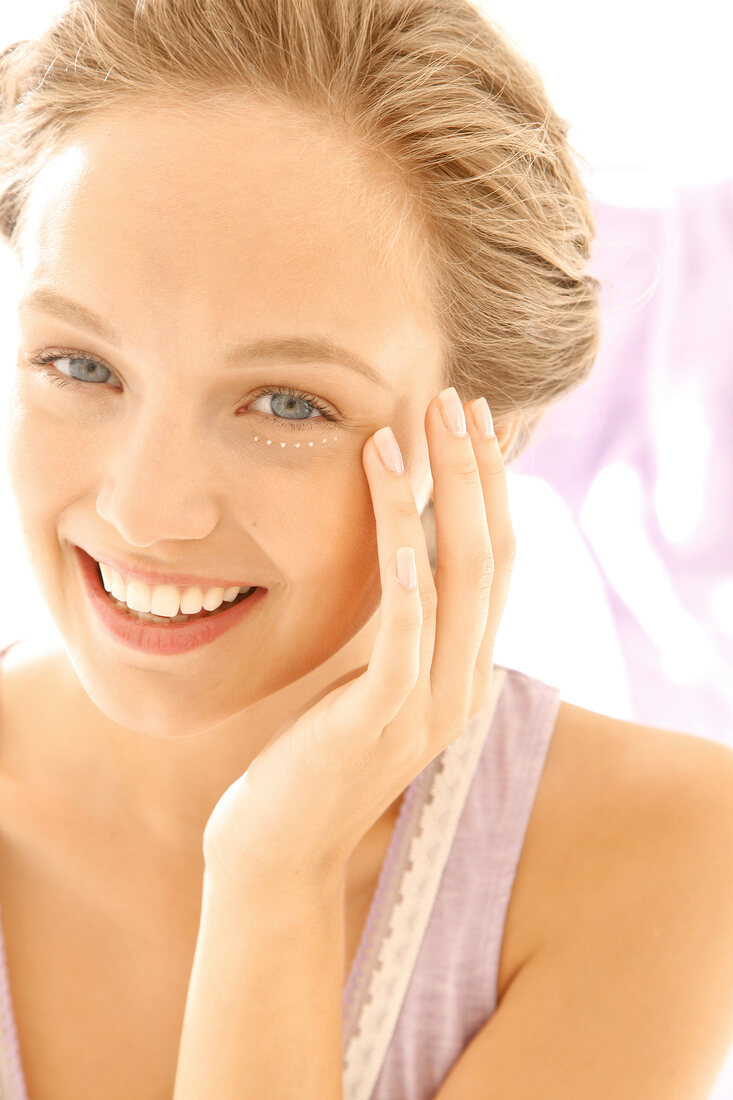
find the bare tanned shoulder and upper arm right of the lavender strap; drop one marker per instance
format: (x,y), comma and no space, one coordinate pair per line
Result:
(617,975)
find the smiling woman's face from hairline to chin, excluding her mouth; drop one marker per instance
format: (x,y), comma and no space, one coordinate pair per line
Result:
(188,234)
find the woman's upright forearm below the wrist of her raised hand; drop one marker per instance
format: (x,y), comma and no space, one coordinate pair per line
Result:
(264,1011)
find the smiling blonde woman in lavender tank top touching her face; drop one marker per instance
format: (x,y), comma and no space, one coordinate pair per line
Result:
(307,840)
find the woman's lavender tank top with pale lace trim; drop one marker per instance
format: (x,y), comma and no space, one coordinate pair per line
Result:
(424,980)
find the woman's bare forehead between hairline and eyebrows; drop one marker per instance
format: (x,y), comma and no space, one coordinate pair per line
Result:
(243,211)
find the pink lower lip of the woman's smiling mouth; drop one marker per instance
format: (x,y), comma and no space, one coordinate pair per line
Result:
(151,637)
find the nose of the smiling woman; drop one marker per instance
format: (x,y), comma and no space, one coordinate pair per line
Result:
(157,485)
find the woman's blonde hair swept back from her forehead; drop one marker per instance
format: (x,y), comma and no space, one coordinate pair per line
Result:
(429,89)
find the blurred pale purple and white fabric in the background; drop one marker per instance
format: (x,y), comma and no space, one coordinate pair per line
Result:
(654,421)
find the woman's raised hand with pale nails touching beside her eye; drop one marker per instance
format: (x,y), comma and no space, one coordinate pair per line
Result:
(316,789)
